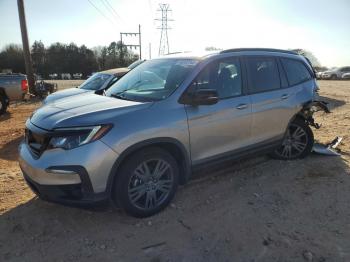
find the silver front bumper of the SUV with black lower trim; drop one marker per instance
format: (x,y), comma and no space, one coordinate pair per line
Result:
(77,176)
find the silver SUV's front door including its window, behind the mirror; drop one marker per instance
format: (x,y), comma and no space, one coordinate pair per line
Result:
(217,129)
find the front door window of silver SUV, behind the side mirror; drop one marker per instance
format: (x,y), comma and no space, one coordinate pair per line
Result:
(224,76)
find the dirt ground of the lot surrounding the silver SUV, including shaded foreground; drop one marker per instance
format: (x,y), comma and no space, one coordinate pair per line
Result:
(253,210)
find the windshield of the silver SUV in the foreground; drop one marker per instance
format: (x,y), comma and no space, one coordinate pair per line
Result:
(152,80)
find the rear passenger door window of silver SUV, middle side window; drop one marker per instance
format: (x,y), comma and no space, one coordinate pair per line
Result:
(263,74)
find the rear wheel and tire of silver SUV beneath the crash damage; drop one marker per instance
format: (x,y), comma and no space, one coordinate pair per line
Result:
(297,143)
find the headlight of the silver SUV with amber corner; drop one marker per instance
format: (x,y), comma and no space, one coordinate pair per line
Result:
(69,138)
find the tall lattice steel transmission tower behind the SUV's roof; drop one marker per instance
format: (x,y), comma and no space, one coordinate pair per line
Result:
(164,41)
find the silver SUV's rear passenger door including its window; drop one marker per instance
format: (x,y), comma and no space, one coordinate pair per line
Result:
(272,100)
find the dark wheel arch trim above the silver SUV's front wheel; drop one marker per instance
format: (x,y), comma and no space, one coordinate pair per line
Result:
(171,145)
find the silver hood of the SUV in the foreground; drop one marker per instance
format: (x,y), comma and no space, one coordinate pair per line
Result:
(86,110)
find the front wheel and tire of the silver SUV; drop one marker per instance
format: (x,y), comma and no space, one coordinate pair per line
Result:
(143,195)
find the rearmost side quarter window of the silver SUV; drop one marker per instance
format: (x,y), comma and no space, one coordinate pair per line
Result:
(296,71)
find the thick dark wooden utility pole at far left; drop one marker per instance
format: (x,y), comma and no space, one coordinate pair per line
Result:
(26,50)
